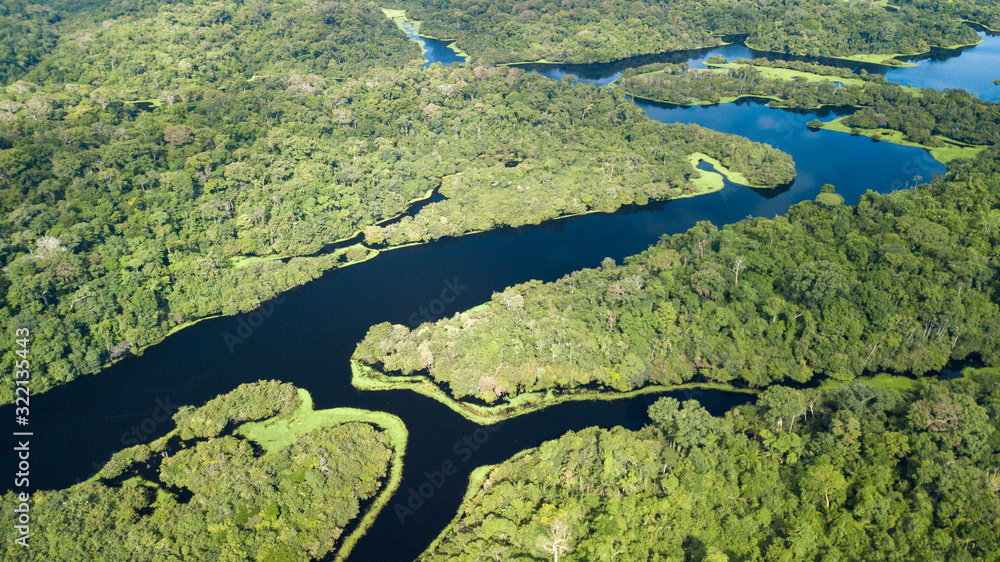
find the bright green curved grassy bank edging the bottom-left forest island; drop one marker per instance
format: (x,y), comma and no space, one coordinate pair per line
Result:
(276,434)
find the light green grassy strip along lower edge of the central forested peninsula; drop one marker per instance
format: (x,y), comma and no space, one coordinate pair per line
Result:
(368,378)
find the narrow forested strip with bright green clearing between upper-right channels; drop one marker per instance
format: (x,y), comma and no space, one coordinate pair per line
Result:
(922,115)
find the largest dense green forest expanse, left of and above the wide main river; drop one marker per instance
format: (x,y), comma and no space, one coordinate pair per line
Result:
(144,157)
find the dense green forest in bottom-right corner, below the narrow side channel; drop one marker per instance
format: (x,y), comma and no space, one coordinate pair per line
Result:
(854,473)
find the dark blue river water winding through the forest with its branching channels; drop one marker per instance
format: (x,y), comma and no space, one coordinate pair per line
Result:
(309,334)
